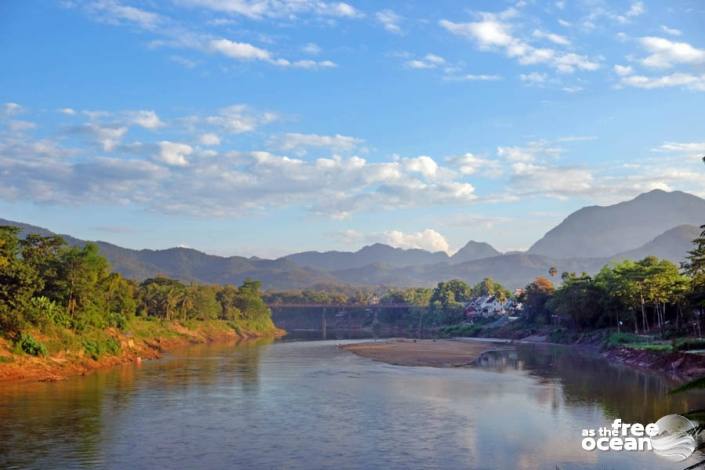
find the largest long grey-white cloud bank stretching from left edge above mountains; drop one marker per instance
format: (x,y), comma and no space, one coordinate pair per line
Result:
(173,176)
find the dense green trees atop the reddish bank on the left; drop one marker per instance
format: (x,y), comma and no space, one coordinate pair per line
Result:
(46,284)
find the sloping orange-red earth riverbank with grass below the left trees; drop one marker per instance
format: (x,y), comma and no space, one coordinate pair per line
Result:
(70,354)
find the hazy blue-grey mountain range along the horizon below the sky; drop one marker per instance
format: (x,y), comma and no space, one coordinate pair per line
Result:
(657,223)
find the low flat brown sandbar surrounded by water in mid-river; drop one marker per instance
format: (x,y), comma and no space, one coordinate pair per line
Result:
(429,353)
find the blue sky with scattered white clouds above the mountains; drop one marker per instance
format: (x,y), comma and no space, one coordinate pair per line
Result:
(265,127)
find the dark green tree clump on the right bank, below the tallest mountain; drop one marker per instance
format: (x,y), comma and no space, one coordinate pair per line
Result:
(650,295)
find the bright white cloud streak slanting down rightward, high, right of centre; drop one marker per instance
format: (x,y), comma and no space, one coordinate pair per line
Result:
(494,33)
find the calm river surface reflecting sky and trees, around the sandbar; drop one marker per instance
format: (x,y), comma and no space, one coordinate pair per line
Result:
(309,405)
